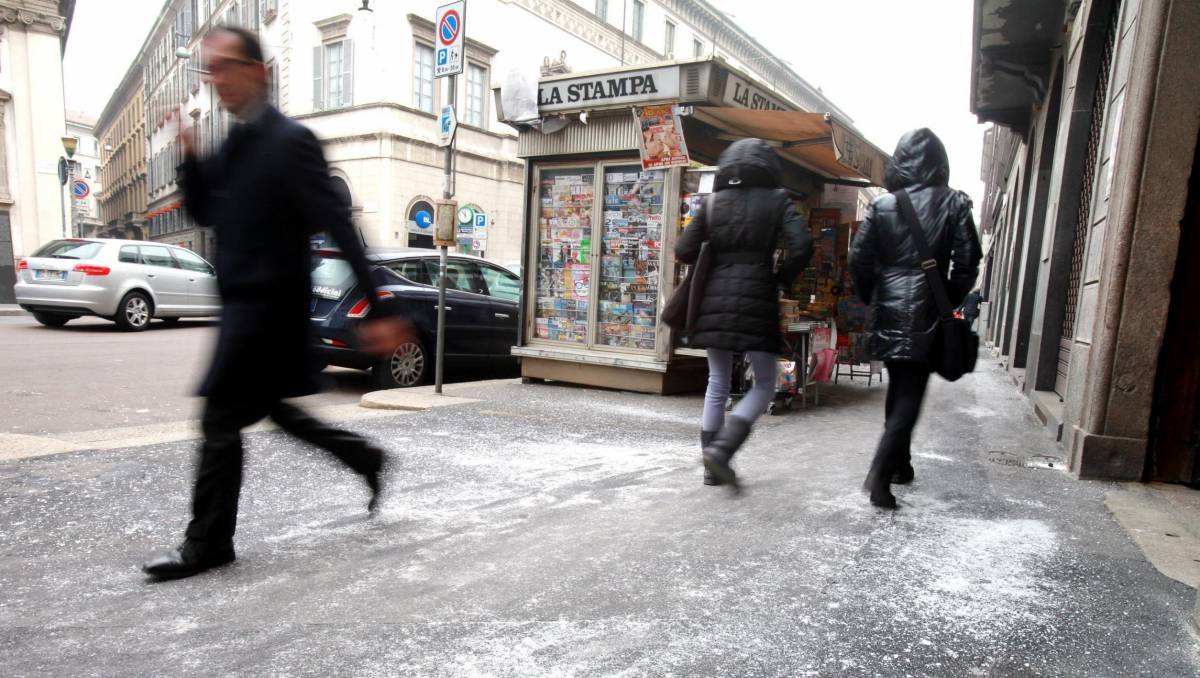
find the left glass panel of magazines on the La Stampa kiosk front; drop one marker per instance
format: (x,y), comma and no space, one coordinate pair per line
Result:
(565,267)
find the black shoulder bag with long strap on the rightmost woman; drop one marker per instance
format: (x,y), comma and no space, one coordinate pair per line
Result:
(956,349)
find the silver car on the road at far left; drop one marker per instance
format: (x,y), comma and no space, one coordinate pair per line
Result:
(127,281)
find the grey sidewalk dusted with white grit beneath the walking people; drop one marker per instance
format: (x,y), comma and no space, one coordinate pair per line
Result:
(557,531)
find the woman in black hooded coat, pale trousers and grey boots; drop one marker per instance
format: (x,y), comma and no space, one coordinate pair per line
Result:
(743,223)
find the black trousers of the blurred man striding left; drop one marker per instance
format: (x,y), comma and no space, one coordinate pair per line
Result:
(219,478)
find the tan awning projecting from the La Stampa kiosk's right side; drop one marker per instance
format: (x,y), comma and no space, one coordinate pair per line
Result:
(815,141)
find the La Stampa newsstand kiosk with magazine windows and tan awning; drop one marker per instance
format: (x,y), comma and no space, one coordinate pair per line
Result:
(601,229)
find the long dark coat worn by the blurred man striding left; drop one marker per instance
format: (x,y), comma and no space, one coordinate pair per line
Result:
(267,191)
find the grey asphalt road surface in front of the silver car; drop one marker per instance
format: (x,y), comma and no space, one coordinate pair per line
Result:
(92,376)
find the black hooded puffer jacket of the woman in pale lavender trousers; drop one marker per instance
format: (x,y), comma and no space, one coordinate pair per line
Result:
(740,310)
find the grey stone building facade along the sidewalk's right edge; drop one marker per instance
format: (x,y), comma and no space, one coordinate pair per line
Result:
(1091,219)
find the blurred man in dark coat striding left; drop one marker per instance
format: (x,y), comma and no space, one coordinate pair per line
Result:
(267,191)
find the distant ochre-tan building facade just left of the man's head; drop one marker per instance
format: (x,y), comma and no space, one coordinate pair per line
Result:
(123,160)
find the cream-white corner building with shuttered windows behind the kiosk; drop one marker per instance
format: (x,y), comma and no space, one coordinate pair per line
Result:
(363,81)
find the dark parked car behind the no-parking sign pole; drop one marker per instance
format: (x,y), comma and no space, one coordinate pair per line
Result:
(482,313)
